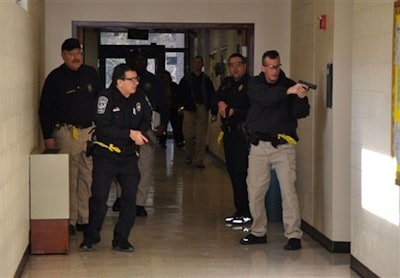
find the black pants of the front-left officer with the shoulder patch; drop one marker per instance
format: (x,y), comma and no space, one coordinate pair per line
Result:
(105,169)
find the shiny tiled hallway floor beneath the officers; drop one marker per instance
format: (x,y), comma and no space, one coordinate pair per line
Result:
(185,236)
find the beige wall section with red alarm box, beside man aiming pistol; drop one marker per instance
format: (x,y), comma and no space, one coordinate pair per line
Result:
(324,147)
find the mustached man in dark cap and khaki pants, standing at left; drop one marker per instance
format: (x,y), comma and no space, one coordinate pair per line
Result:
(66,114)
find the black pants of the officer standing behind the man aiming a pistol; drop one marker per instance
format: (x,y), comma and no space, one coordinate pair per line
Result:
(236,157)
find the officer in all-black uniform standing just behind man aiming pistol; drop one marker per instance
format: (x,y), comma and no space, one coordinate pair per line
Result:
(233,104)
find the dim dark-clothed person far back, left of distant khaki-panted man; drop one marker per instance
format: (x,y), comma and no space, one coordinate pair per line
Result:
(175,118)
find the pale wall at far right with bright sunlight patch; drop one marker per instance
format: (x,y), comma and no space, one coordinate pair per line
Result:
(375,207)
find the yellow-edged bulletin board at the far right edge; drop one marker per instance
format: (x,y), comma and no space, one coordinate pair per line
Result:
(396,89)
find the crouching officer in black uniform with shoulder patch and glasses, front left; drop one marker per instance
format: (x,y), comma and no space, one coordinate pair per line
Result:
(122,112)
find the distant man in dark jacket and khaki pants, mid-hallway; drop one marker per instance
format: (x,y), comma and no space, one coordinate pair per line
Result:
(195,94)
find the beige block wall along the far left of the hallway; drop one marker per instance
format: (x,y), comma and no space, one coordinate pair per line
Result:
(19,71)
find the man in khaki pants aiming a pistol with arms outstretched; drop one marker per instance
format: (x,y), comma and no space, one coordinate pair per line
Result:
(276,103)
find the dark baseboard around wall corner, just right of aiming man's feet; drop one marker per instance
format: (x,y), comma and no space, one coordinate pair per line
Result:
(331,246)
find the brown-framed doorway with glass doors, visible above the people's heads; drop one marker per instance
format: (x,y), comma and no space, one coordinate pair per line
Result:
(212,41)
